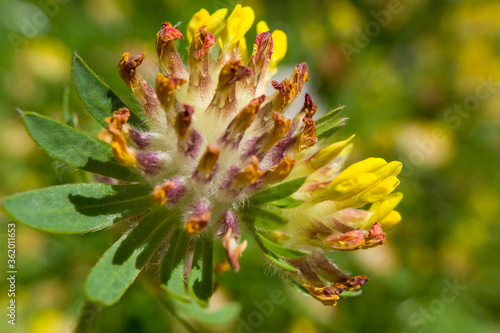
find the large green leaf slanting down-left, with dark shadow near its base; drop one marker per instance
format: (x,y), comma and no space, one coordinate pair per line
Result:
(117,269)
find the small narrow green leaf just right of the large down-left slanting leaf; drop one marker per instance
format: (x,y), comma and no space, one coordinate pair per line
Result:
(172,267)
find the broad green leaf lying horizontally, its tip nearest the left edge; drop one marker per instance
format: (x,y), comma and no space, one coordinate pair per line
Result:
(77,208)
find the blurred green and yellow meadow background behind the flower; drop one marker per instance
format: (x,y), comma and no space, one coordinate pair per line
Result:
(421,82)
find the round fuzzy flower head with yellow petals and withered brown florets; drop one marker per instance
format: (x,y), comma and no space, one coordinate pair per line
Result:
(218,156)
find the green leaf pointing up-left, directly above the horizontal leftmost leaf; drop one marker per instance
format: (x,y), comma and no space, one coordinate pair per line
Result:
(76,148)
